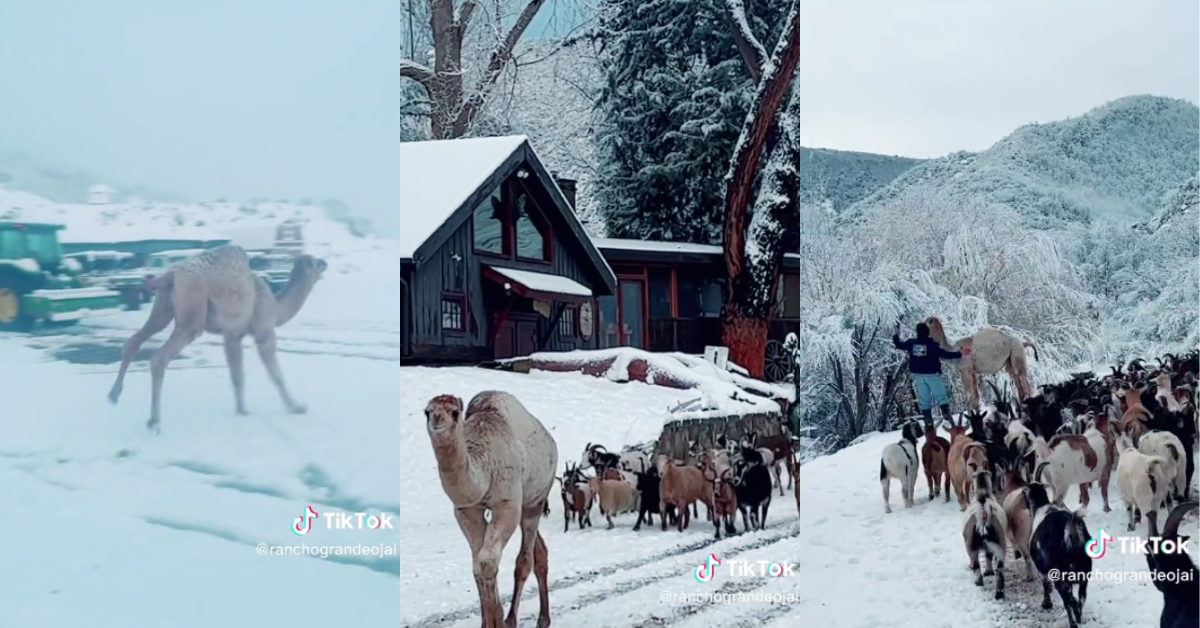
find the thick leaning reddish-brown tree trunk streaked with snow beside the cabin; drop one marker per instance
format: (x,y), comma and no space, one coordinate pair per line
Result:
(755,237)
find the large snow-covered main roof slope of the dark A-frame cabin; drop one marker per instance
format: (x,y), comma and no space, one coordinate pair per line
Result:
(439,176)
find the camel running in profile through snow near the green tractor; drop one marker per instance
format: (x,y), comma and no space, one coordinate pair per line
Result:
(217,292)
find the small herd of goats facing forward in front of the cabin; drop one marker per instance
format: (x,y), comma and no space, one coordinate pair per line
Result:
(730,479)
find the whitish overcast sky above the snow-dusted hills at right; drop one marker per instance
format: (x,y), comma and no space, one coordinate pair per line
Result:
(925,79)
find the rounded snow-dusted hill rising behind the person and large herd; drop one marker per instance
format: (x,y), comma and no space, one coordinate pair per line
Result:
(1115,162)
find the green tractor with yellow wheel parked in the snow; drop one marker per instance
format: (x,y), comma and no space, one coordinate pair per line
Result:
(37,284)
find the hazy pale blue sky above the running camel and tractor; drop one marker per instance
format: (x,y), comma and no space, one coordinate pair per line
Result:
(238,99)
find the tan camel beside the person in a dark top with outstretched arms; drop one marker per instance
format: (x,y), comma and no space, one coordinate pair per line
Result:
(986,354)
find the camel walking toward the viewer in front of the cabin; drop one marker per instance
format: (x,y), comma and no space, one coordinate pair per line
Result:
(499,458)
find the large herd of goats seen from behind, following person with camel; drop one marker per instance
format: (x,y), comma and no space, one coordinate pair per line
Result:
(1011,466)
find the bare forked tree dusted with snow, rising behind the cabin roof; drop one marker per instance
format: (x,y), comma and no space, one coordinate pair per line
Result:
(449,104)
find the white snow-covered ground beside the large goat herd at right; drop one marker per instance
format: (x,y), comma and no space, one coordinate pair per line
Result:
(862,569)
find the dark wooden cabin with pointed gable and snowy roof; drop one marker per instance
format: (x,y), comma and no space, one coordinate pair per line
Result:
(495,264)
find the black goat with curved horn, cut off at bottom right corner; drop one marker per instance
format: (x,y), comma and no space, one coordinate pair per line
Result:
(1175,575)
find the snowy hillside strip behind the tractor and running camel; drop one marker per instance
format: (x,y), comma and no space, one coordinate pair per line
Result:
(214,220)
